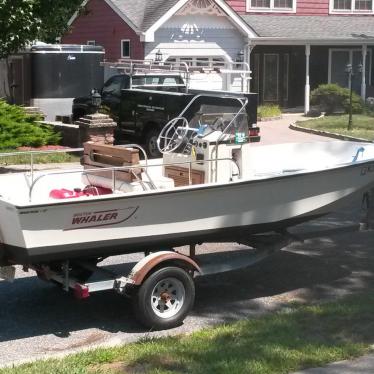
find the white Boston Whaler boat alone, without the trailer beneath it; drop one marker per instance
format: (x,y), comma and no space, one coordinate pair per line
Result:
(213,189)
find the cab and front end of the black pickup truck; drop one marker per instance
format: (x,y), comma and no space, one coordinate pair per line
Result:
(111,91)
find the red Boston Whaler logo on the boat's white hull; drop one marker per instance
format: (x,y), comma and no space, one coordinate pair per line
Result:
(100,218)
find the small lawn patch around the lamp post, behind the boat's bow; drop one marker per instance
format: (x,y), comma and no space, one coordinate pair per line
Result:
(363,126)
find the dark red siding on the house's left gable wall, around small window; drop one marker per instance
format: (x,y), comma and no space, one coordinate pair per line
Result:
(104,26)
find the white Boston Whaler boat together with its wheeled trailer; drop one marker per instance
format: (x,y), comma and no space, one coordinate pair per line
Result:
(210,185)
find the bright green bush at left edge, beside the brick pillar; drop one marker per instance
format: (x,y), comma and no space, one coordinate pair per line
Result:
(20,129)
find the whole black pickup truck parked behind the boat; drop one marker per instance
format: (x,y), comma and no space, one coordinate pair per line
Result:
(142,104)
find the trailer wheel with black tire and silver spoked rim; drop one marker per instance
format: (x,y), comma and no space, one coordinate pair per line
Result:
(165,298)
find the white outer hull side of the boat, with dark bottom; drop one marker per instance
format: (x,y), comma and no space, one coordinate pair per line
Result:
(114,224)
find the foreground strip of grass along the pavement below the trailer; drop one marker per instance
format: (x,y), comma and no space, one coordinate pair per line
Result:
(282,342)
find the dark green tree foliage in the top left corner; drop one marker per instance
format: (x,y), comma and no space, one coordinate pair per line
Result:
(24,21)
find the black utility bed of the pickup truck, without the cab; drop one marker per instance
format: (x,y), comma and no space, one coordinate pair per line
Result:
(143,113)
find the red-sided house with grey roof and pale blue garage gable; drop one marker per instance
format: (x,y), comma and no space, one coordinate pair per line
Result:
(292,46)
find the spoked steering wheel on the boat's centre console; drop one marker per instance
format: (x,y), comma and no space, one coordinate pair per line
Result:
(172,135)
